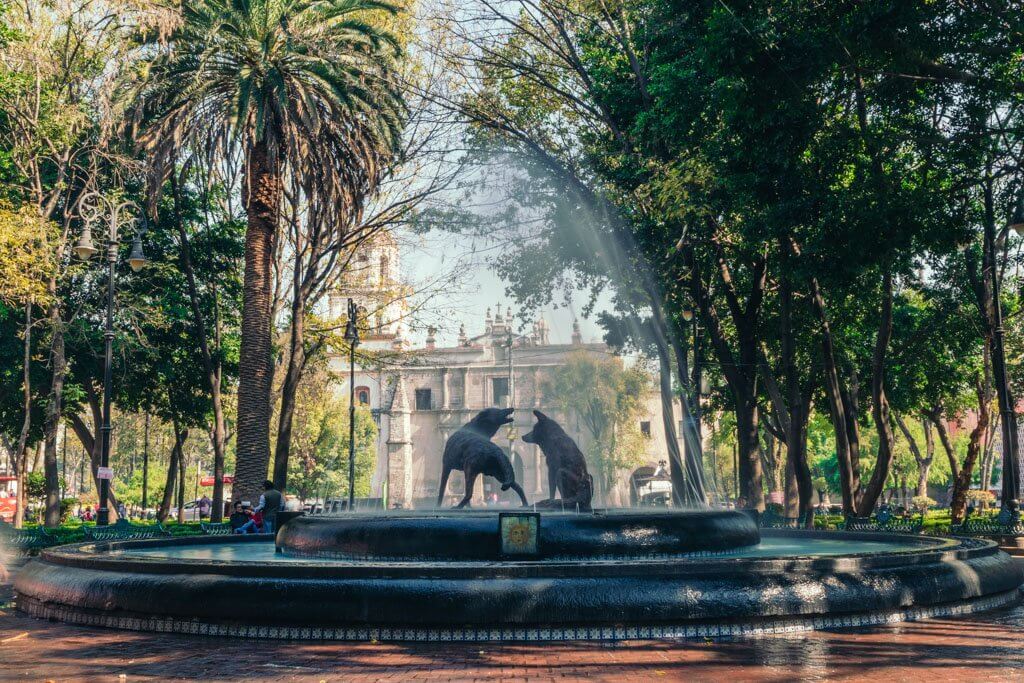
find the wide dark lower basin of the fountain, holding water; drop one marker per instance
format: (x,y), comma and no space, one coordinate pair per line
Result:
(792,580)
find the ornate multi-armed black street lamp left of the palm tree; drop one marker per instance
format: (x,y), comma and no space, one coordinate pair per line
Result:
(95,208)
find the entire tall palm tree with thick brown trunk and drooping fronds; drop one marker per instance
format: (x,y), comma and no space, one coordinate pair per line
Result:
(302,89)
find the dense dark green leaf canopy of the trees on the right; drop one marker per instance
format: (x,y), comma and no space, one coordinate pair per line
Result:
(711,148)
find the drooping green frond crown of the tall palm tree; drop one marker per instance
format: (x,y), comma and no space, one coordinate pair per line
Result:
(315,83)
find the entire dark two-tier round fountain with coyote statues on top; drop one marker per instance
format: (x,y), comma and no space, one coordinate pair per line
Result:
(516,575)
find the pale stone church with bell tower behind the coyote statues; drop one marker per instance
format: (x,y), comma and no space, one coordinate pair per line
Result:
(419,397)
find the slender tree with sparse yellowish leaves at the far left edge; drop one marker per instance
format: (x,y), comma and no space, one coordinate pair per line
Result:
(58,110)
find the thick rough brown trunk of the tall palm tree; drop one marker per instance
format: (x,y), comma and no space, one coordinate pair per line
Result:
(263,199)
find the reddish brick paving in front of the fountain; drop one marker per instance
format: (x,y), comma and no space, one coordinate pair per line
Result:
(983,648)
